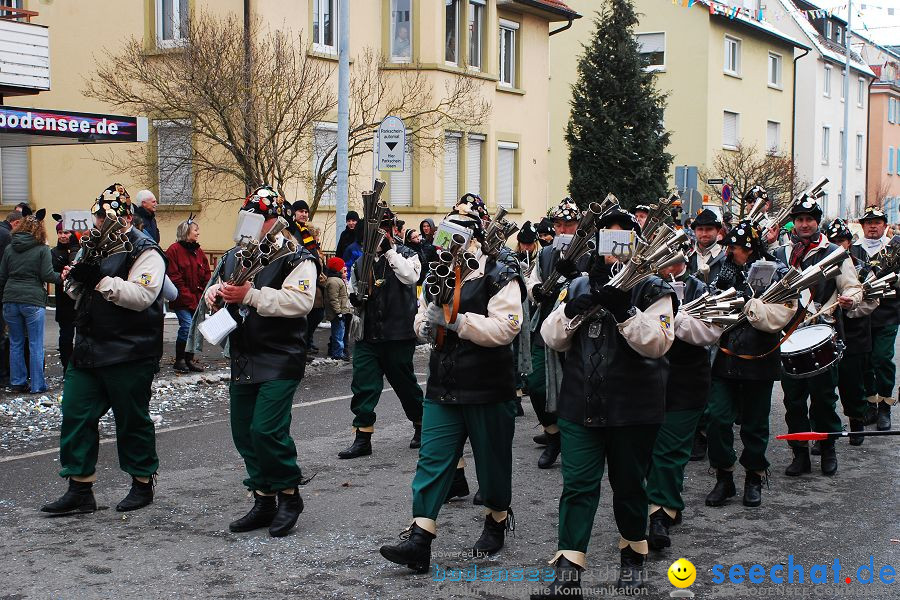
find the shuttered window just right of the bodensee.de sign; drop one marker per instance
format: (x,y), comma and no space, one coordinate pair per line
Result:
(173,159)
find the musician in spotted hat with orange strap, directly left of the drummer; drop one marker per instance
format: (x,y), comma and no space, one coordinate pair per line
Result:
(744,371)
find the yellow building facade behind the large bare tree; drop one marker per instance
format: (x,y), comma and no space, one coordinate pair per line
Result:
(505,159)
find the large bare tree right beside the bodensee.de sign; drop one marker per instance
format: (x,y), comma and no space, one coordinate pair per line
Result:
(204,84)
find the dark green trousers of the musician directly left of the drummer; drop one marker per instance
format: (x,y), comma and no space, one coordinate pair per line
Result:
(753,399)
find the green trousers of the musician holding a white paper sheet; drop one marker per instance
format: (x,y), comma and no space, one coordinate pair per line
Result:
(260,428)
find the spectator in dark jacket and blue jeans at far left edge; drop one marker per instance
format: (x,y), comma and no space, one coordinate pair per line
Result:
(25,269)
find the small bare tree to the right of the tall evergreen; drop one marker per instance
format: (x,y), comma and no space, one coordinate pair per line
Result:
(745,167)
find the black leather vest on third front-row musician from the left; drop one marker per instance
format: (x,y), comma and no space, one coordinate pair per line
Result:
(462,372)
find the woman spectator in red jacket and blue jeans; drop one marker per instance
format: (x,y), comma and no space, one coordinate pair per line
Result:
(189,270)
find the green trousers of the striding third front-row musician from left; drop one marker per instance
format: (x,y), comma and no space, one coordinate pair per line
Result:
(445,427)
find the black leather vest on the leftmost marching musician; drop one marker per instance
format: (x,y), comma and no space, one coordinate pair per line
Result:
(107,334)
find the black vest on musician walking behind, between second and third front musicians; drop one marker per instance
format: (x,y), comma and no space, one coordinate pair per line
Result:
(391,307)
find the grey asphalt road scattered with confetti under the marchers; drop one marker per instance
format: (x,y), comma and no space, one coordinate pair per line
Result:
(180,547)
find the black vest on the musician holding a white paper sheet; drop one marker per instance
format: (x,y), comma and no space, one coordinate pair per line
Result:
(267,348)
